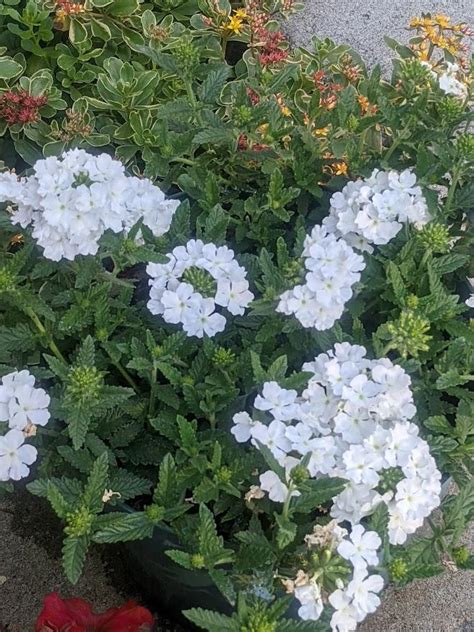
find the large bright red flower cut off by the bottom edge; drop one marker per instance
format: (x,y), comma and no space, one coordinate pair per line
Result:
(76,615)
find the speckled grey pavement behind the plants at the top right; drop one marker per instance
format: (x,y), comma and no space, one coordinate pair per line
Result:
(364,23)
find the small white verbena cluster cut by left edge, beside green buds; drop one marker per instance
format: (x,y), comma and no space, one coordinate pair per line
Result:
(23,407)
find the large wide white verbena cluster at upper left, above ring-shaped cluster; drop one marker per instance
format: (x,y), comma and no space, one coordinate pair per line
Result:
(73,199)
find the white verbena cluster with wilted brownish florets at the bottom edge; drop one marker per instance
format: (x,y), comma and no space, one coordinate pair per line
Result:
(352,600)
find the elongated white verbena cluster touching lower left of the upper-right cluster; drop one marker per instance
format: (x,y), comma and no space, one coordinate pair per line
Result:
(332,269)
